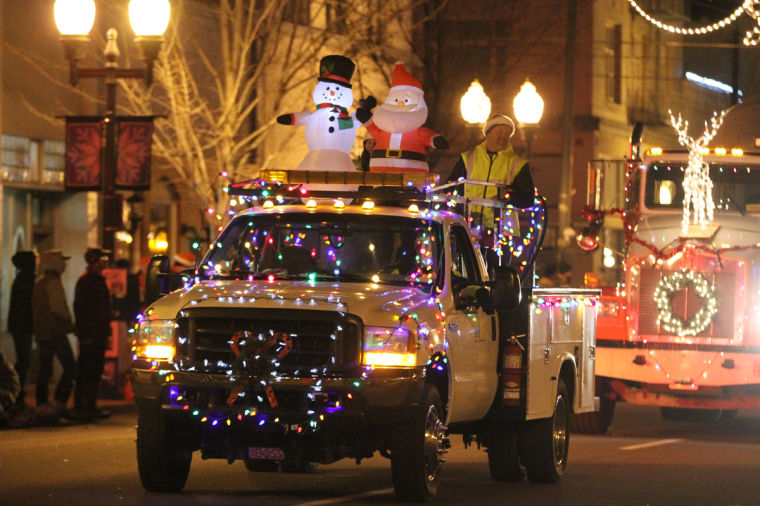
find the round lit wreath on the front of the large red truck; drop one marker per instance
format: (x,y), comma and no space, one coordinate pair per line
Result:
(663,297)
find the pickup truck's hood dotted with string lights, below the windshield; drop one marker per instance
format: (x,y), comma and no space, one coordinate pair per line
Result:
(375,304)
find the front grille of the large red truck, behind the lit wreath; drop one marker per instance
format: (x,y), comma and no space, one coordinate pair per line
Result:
(685,303)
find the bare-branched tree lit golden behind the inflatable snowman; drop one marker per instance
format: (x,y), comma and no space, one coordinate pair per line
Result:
(222,98)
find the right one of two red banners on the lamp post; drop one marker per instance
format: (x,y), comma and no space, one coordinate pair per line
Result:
(134,143)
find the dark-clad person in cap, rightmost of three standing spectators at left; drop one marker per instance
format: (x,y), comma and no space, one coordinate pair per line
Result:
(92,313)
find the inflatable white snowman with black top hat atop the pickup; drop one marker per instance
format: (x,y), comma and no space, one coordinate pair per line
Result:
(331,130)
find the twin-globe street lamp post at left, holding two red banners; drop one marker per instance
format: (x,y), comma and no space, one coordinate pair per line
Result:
(74,19)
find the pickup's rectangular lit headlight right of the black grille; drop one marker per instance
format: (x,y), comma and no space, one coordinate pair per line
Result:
(390,347)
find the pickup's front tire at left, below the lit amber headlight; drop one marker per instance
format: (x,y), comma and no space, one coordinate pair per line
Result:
(163,463)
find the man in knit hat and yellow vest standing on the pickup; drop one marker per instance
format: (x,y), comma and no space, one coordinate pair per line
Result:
(495,161)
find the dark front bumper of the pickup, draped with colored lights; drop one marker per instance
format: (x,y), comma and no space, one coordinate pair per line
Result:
(375,398)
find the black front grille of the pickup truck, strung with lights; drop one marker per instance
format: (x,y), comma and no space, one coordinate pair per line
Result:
(324,343)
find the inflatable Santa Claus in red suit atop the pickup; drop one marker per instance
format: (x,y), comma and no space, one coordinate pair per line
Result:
(402,141)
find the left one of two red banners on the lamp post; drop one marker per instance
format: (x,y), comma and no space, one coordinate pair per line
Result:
(84,141)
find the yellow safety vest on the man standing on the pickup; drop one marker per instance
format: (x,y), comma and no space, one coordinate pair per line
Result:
(503,168)
